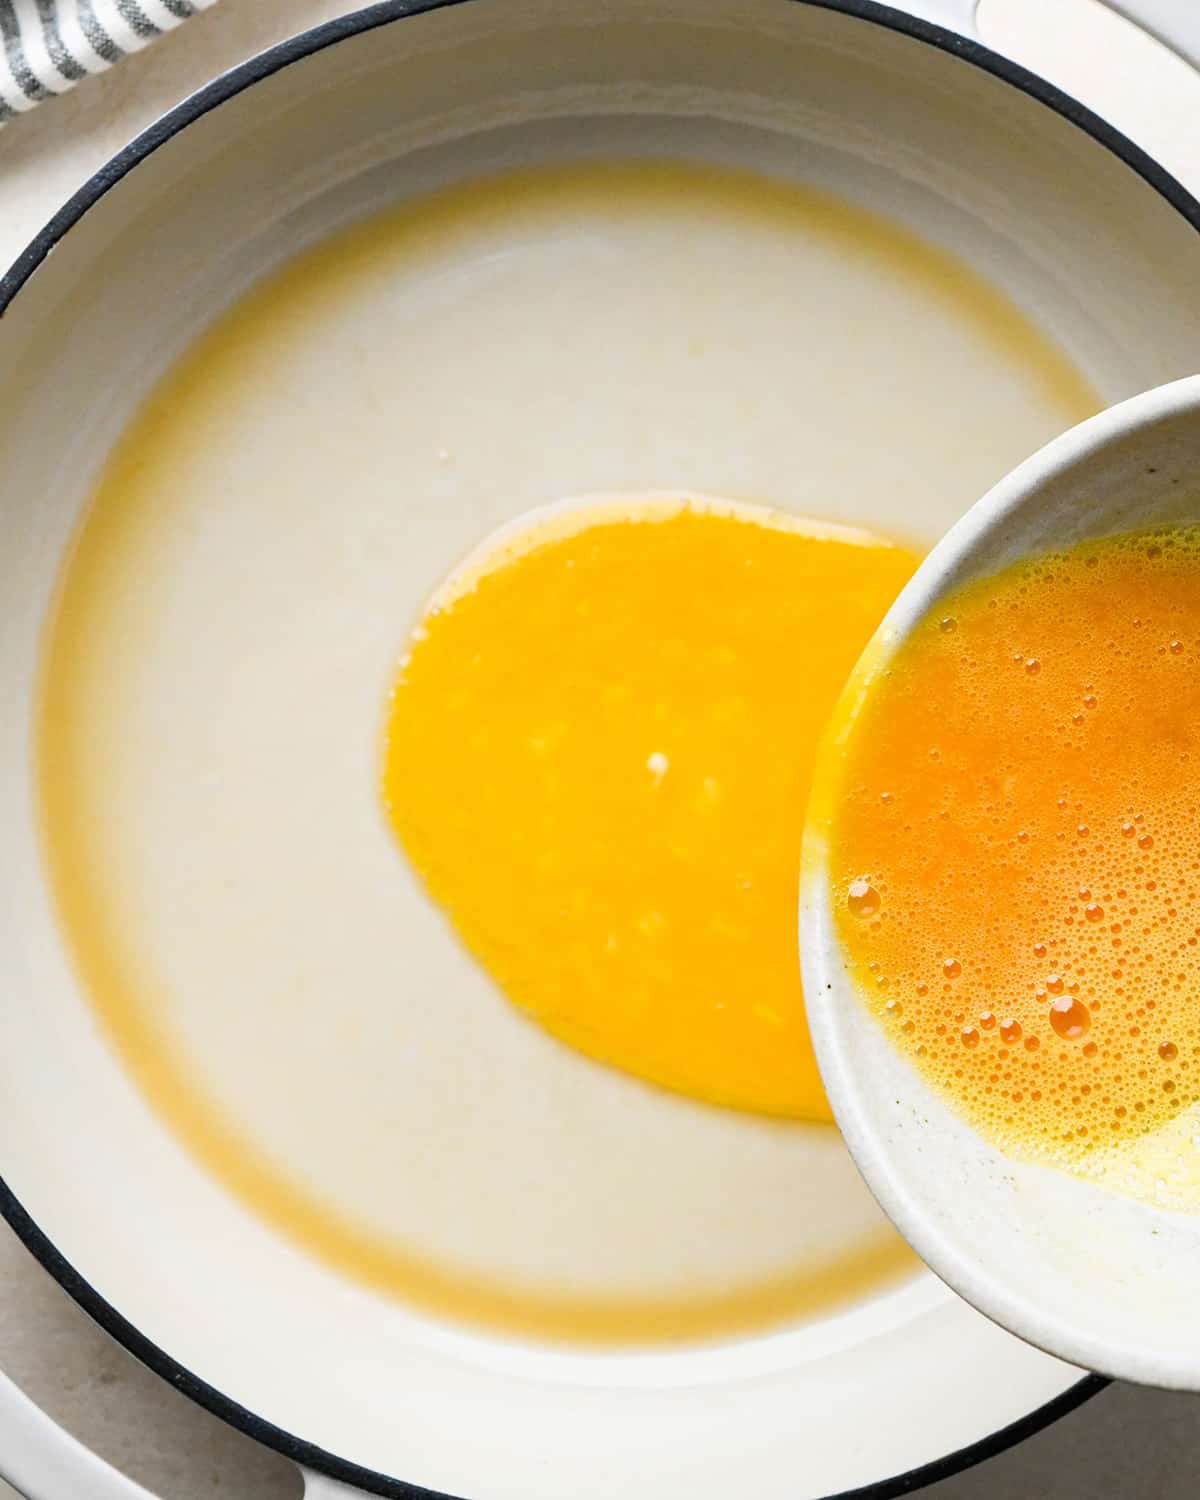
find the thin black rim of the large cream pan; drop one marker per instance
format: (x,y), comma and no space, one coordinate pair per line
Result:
(184,115)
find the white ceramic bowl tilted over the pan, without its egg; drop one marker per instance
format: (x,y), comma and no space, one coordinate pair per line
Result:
(1093,1276)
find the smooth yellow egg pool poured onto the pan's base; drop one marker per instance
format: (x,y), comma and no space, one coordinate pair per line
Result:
(599,755)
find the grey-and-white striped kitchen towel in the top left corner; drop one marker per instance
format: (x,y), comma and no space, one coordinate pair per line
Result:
(49,46)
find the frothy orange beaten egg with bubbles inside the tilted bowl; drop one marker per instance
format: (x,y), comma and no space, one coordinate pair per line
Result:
(1034,910)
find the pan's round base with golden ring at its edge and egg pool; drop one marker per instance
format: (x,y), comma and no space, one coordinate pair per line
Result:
(595,755)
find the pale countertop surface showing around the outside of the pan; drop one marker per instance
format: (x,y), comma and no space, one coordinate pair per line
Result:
(1124,1444)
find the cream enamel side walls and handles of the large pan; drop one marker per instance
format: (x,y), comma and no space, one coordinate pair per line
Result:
(908,113)
